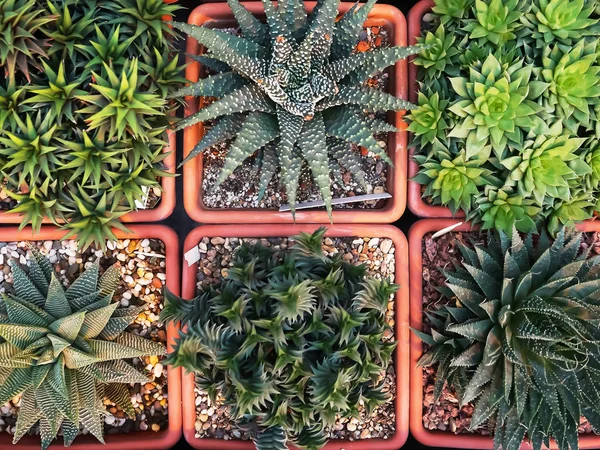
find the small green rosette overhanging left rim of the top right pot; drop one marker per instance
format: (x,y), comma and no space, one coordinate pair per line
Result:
(427,120)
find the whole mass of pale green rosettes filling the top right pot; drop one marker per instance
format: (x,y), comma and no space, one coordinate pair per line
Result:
(520,104)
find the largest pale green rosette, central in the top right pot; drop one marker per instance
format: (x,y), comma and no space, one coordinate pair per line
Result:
(496,104)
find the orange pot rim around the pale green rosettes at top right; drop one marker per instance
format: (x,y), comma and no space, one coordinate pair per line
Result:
(415,201)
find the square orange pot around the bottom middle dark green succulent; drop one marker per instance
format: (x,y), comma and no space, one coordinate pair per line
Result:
(401,354)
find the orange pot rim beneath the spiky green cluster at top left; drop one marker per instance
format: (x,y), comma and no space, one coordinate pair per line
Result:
(162,210)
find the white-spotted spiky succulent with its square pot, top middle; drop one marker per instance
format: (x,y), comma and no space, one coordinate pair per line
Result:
(286,114)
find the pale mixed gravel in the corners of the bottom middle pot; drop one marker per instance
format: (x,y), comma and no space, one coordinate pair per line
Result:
(212,420)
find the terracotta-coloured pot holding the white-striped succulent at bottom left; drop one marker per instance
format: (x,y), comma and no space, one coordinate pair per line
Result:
(148,440)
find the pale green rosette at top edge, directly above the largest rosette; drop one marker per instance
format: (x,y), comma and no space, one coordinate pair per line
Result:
(495,21)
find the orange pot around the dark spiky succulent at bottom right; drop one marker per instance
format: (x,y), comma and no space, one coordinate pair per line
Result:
(440,438)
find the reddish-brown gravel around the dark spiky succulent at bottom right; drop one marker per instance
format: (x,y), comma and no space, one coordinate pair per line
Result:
(442,253)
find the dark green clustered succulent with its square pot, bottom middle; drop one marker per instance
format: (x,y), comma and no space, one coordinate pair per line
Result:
(233,250)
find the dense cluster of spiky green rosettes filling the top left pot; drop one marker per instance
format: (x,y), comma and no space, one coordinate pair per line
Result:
(84,109)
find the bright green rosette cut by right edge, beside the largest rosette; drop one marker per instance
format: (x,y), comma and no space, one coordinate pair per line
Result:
(573,76)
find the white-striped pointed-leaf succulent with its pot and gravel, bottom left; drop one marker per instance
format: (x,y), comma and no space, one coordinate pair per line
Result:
(81,346)
